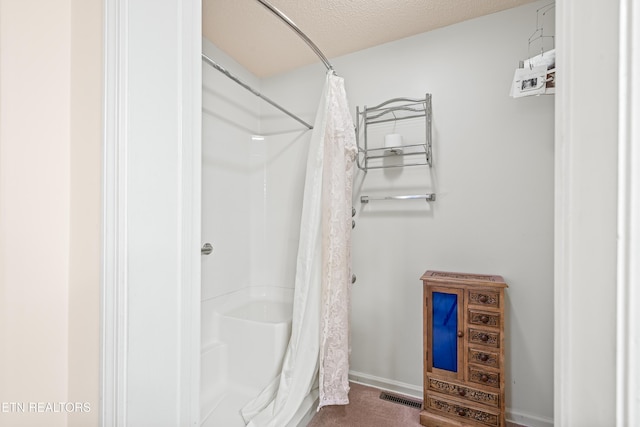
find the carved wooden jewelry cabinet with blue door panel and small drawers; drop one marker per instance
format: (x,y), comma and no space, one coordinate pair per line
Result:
(463,324)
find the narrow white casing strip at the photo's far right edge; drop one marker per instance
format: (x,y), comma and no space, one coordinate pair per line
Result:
(628,251)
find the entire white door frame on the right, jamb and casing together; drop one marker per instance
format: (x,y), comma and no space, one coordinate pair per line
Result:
(597,187)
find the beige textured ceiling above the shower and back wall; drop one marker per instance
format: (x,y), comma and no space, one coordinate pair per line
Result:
(263,44)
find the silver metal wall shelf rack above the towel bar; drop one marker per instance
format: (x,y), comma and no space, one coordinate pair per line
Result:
(394,110)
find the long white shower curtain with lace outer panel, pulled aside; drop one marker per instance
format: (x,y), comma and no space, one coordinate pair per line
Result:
(318,352)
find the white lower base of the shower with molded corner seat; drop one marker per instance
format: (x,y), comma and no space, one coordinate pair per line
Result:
(244,336)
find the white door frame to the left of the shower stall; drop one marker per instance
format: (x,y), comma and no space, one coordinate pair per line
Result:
(122,42)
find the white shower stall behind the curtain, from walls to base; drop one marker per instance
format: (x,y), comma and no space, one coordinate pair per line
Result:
(253,165)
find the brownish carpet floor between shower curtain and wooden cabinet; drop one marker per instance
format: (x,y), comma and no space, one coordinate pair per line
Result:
(366,409)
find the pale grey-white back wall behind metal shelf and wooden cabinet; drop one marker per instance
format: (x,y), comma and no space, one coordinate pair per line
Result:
(493,173)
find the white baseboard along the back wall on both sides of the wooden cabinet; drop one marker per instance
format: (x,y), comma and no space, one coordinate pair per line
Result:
(514,418)
